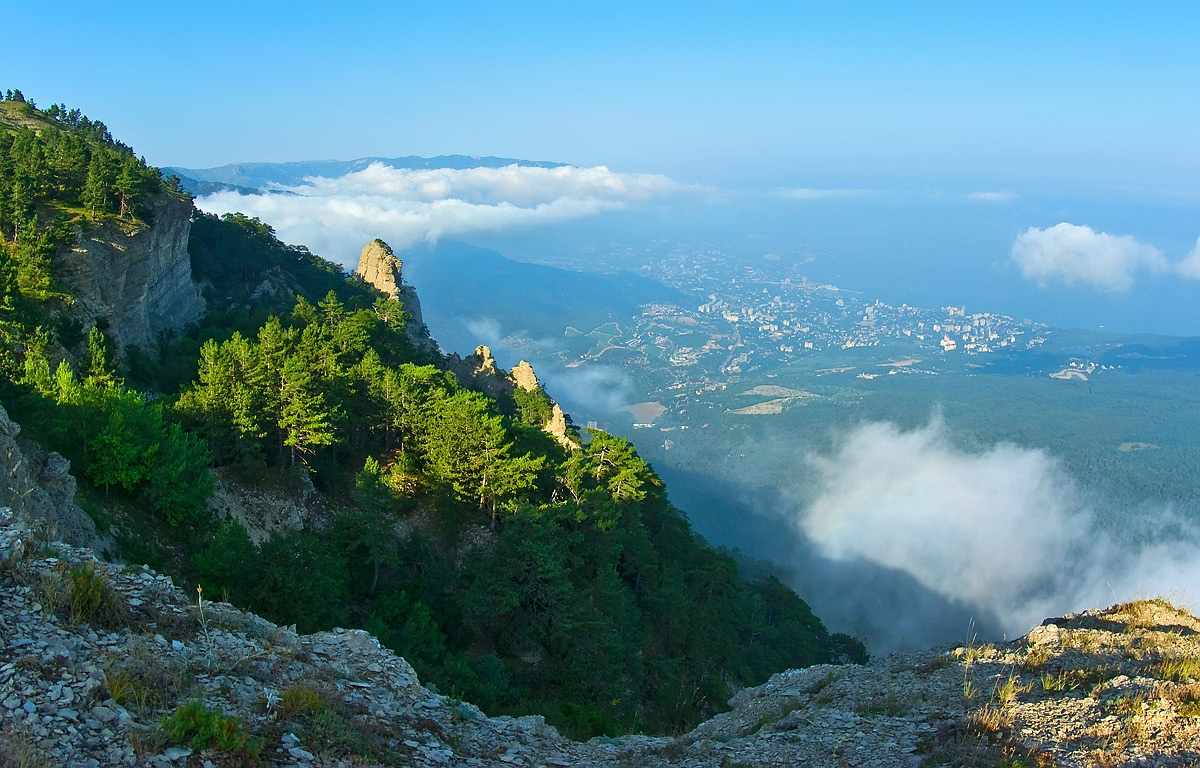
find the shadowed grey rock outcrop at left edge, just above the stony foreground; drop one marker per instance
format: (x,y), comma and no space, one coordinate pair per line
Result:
(39,488)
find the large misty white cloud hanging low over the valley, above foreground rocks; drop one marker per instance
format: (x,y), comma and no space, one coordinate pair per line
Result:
(1004,530)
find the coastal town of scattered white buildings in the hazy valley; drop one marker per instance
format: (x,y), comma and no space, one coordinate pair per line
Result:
(749,317)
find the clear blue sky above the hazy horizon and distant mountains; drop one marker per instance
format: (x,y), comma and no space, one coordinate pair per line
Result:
(729,92)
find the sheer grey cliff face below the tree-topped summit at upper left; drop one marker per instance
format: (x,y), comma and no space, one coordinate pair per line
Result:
(135,278)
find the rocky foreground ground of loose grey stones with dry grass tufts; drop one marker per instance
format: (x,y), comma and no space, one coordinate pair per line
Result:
(106,665)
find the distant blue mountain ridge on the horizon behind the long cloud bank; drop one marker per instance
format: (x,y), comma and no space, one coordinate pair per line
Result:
(253,178)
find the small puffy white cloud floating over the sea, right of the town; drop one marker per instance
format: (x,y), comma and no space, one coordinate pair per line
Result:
(1072,255)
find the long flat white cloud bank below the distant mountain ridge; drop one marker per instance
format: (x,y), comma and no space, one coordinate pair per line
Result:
(337,217)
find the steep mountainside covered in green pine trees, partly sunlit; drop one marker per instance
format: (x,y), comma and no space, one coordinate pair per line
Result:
(508,569)
